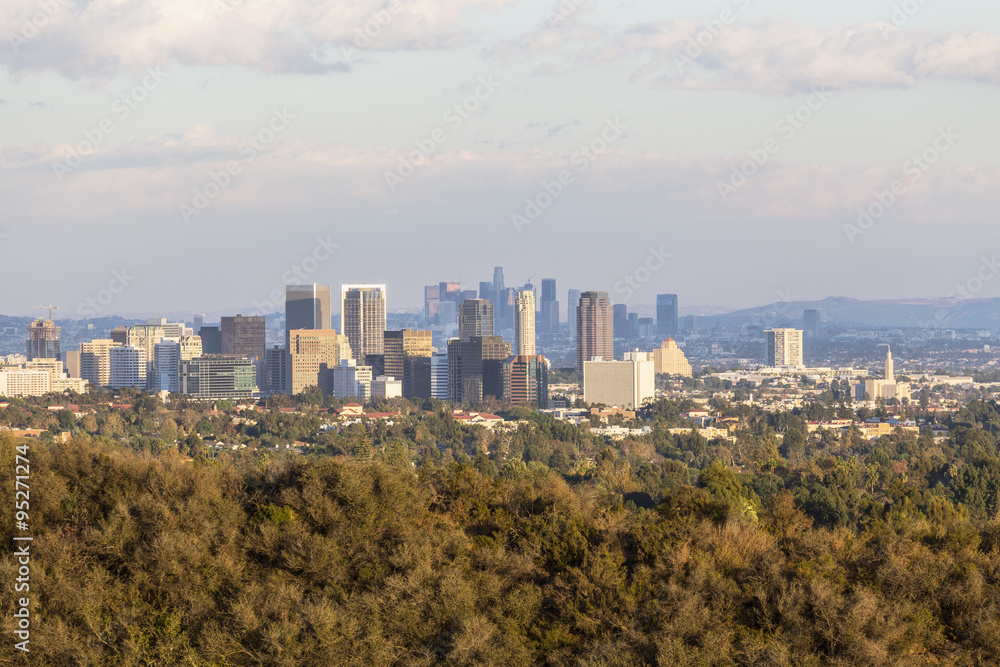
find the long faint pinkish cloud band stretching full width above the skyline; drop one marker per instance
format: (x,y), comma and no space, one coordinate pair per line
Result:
(160,173)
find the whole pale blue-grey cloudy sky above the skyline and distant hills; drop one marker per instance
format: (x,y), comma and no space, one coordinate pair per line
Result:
(198,155)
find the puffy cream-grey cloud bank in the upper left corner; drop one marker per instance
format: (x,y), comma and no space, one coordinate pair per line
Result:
(102,38)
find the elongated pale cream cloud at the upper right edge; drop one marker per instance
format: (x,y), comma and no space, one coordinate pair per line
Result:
(774,56)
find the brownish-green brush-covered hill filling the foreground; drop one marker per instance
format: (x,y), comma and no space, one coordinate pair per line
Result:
(163,560)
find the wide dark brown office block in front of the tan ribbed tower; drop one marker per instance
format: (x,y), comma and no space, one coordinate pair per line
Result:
(475,368)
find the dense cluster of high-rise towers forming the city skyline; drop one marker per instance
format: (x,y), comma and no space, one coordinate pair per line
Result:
(364,360)
